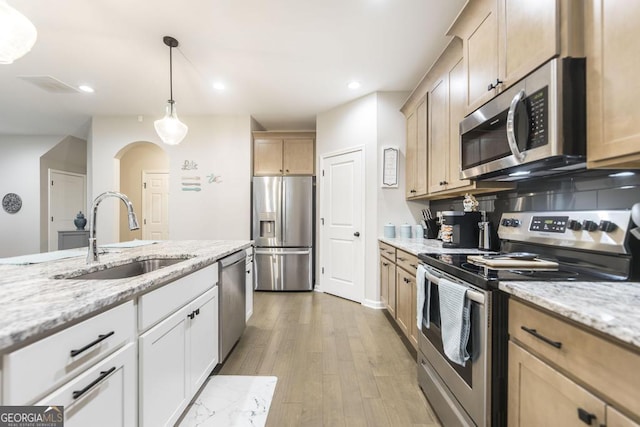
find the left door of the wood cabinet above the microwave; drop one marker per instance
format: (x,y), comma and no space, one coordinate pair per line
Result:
(480,43)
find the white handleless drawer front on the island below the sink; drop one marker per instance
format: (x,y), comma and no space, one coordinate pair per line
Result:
(158,304)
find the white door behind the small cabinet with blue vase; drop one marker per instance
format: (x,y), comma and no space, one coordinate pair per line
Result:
(67,196)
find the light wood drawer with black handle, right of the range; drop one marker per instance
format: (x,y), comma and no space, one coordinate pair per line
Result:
(601,364)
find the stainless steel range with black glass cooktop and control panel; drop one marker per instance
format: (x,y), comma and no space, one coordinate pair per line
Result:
(541,246)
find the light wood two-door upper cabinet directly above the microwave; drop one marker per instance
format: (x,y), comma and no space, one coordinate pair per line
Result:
(504,40)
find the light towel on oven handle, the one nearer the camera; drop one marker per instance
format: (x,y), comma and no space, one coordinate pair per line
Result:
(454,320)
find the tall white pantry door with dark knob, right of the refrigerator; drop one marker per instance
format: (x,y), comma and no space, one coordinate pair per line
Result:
(341,225)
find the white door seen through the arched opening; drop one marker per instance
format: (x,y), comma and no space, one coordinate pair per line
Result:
(155,205)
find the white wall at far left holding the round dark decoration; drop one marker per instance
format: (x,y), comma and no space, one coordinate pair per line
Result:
(20,174)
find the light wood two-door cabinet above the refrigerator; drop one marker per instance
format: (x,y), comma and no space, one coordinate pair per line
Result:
(283,153)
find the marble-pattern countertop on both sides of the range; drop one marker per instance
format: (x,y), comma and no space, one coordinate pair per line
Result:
(607,307)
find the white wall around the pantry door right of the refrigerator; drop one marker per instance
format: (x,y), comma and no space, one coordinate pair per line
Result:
(372,122)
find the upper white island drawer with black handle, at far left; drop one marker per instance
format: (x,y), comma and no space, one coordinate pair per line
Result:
(36,369)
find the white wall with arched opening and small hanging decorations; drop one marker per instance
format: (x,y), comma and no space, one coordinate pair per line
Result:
(219,145)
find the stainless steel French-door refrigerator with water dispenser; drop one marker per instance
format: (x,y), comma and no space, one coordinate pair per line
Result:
(283,224)
